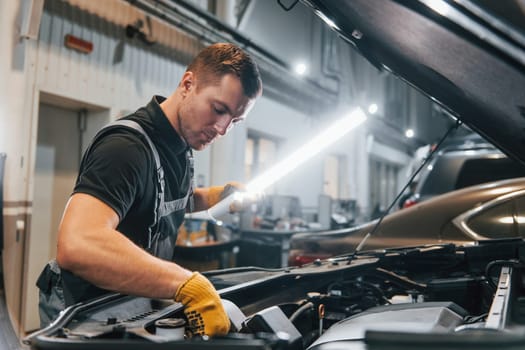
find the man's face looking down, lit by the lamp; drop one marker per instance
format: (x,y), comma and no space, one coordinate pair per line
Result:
(208,112)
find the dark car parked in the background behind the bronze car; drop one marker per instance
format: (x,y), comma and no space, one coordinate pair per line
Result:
(462,162)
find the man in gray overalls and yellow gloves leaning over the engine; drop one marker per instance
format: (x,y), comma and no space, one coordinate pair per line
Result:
(112,237)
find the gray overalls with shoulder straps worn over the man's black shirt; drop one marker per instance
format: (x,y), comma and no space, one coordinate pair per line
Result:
(52,299)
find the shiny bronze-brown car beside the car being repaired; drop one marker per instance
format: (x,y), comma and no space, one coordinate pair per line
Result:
(461,216)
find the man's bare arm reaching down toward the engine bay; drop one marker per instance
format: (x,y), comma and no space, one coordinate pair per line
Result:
(90,246)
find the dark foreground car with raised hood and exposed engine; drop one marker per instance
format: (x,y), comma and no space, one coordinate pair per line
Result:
(468,58)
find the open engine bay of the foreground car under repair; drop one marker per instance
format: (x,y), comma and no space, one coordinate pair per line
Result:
(395,298)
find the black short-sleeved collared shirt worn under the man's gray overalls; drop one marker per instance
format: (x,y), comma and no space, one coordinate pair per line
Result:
(120,170)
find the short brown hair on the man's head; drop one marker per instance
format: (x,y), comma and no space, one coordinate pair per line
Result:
(217,60)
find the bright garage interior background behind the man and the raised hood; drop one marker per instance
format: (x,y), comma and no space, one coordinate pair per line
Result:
(71,66)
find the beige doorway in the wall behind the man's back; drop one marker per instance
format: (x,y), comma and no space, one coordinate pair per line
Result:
(65,128)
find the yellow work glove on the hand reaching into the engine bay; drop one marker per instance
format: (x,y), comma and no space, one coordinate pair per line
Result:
(202,307)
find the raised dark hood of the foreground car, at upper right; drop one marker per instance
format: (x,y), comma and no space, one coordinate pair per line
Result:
(466,56)
